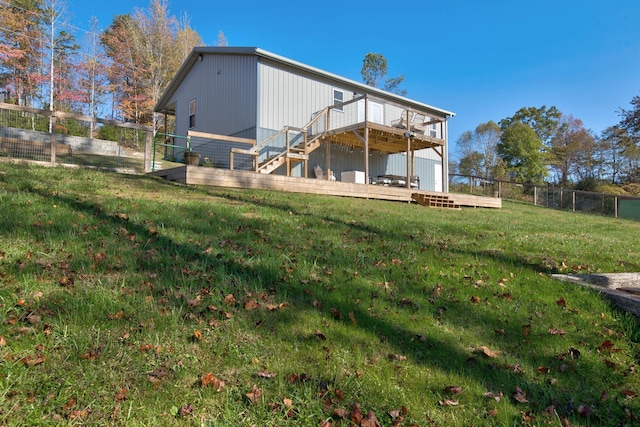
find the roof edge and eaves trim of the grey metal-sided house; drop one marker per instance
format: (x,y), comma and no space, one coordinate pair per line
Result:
(227,50)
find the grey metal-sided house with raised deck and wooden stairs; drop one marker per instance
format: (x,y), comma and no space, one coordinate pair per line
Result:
(246,108)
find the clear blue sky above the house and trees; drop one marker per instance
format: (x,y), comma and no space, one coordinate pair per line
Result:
(482,60)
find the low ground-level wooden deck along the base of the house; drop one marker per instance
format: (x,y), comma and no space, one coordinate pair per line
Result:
(244,179)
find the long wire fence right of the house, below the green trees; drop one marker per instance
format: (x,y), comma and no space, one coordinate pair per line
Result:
(610,205)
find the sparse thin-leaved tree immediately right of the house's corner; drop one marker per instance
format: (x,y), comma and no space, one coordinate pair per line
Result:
(483,141)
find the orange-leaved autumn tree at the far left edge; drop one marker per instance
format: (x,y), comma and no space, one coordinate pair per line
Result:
(21,43)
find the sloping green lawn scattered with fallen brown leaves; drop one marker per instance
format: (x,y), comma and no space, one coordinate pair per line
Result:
(119,294)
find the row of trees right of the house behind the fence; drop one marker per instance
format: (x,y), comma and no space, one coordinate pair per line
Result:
(539,145)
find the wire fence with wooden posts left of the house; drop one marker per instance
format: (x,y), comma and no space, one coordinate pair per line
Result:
(65,138)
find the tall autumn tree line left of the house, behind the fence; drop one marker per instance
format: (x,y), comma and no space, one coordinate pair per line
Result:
(119,72)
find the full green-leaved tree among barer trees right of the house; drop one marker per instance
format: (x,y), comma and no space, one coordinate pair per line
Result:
(520,149)
